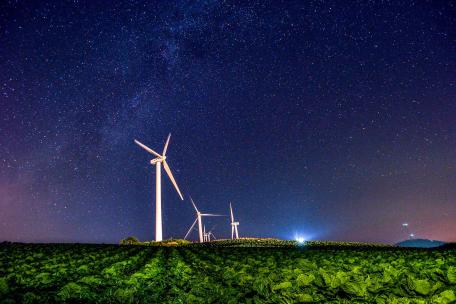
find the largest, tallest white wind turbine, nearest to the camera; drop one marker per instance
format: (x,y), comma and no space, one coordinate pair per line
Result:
(158,161)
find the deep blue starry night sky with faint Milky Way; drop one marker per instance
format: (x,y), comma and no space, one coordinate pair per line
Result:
(330,121)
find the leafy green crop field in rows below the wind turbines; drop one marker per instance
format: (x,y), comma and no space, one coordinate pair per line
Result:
(65,273)
